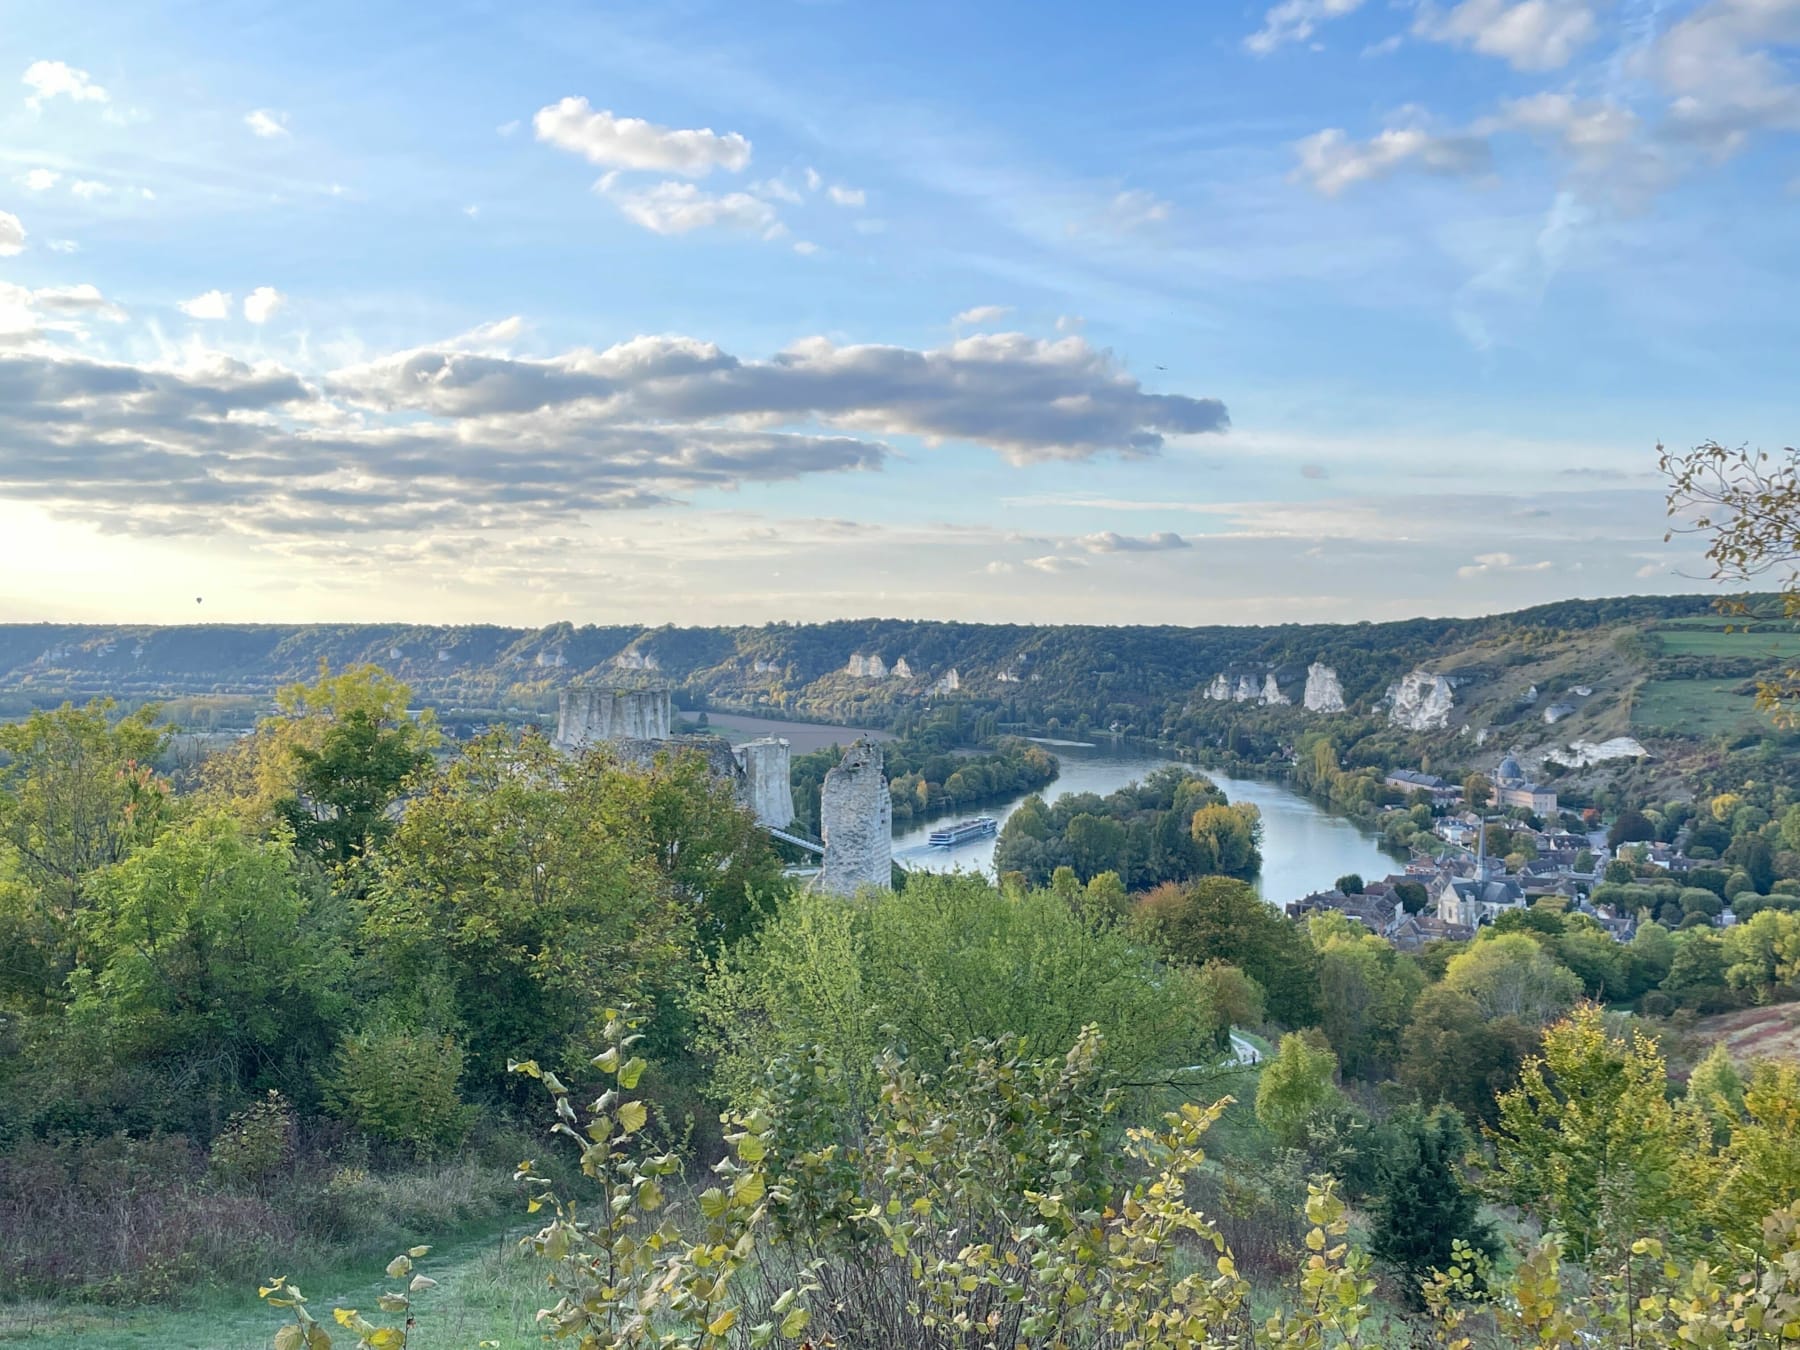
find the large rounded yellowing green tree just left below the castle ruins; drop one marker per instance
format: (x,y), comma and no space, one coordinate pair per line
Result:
(503,888)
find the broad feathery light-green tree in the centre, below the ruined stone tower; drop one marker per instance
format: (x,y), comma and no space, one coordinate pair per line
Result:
(937,966)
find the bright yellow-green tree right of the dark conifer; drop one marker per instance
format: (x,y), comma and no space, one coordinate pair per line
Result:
(1592,1144)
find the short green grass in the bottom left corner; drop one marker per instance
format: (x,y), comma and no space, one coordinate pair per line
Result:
(487,1293)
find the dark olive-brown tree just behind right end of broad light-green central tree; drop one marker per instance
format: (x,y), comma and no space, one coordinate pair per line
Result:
(1219,919)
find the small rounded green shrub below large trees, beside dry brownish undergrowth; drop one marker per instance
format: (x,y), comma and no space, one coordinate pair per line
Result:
(402,1086)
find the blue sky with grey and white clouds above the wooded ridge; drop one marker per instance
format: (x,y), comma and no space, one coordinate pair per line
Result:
(1198,312)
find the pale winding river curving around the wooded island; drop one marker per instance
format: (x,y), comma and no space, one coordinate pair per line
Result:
(1304,847)
